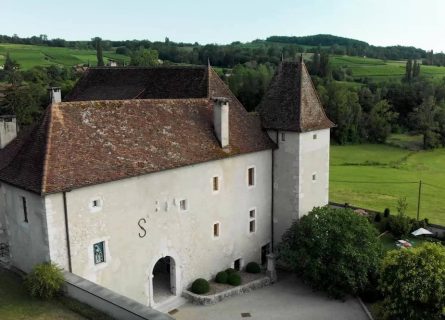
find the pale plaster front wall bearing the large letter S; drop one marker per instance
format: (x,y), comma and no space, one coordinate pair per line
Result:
(187,236)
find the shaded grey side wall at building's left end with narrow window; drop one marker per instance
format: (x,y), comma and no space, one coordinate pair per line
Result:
(28,241)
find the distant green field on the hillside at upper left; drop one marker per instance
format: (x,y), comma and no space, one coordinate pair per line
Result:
(29,56)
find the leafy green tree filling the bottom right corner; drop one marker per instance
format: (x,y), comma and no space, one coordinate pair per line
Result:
(413,283)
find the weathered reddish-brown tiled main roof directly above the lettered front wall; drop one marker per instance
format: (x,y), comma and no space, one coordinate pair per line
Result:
(81,143)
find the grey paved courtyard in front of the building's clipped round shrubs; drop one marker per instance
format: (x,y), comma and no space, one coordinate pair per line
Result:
(288,299)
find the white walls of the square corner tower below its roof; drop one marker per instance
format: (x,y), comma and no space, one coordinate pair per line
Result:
(297,158)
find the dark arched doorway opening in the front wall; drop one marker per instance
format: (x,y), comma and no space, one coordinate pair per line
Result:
(164,279)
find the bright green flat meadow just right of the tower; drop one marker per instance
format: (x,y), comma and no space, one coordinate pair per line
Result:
(375,176)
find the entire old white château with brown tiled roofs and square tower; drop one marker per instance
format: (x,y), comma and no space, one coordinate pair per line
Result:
(144,179)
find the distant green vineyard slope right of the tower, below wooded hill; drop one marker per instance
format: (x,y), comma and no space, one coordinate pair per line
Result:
(377,69)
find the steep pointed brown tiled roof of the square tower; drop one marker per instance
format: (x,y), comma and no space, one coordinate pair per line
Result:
(291,102)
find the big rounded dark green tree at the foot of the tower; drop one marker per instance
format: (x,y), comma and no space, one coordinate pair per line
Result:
(334,250)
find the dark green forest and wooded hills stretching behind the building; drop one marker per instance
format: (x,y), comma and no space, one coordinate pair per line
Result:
(363,110)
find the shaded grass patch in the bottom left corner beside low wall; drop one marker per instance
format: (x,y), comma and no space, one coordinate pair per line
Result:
(16,304)
